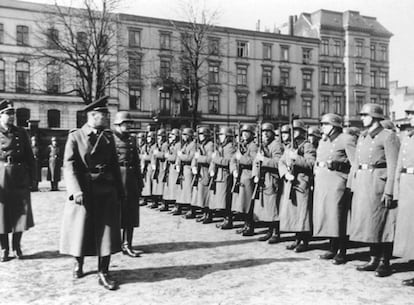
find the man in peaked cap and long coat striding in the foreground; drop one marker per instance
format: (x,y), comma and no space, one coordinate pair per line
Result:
(94,186)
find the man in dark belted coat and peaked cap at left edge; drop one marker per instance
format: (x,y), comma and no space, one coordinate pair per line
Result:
(16,163)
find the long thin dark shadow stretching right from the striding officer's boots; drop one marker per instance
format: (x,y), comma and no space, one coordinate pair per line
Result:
(191,272)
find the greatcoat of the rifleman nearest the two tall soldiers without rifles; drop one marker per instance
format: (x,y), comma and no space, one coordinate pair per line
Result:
(295,201)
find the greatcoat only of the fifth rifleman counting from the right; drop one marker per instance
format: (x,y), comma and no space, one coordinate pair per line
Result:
(201,194)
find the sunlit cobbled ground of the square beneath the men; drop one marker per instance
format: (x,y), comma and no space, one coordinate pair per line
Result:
(189,263)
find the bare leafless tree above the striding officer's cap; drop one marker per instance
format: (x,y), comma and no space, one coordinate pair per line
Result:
(85,40)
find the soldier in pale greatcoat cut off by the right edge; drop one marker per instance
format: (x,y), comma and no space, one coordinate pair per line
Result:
(404,193)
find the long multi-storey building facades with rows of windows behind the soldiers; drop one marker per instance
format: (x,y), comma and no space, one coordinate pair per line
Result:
(327,62)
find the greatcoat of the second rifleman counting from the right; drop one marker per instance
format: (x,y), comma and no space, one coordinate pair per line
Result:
(266,208)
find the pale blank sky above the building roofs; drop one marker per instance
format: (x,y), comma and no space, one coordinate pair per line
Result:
(395,15)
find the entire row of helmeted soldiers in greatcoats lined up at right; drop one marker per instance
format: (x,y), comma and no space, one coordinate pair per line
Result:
(345,187)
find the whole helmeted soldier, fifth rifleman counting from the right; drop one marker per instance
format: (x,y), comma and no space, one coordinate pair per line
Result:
(200,165)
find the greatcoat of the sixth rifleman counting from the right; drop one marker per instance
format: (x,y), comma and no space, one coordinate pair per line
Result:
(183,163)
